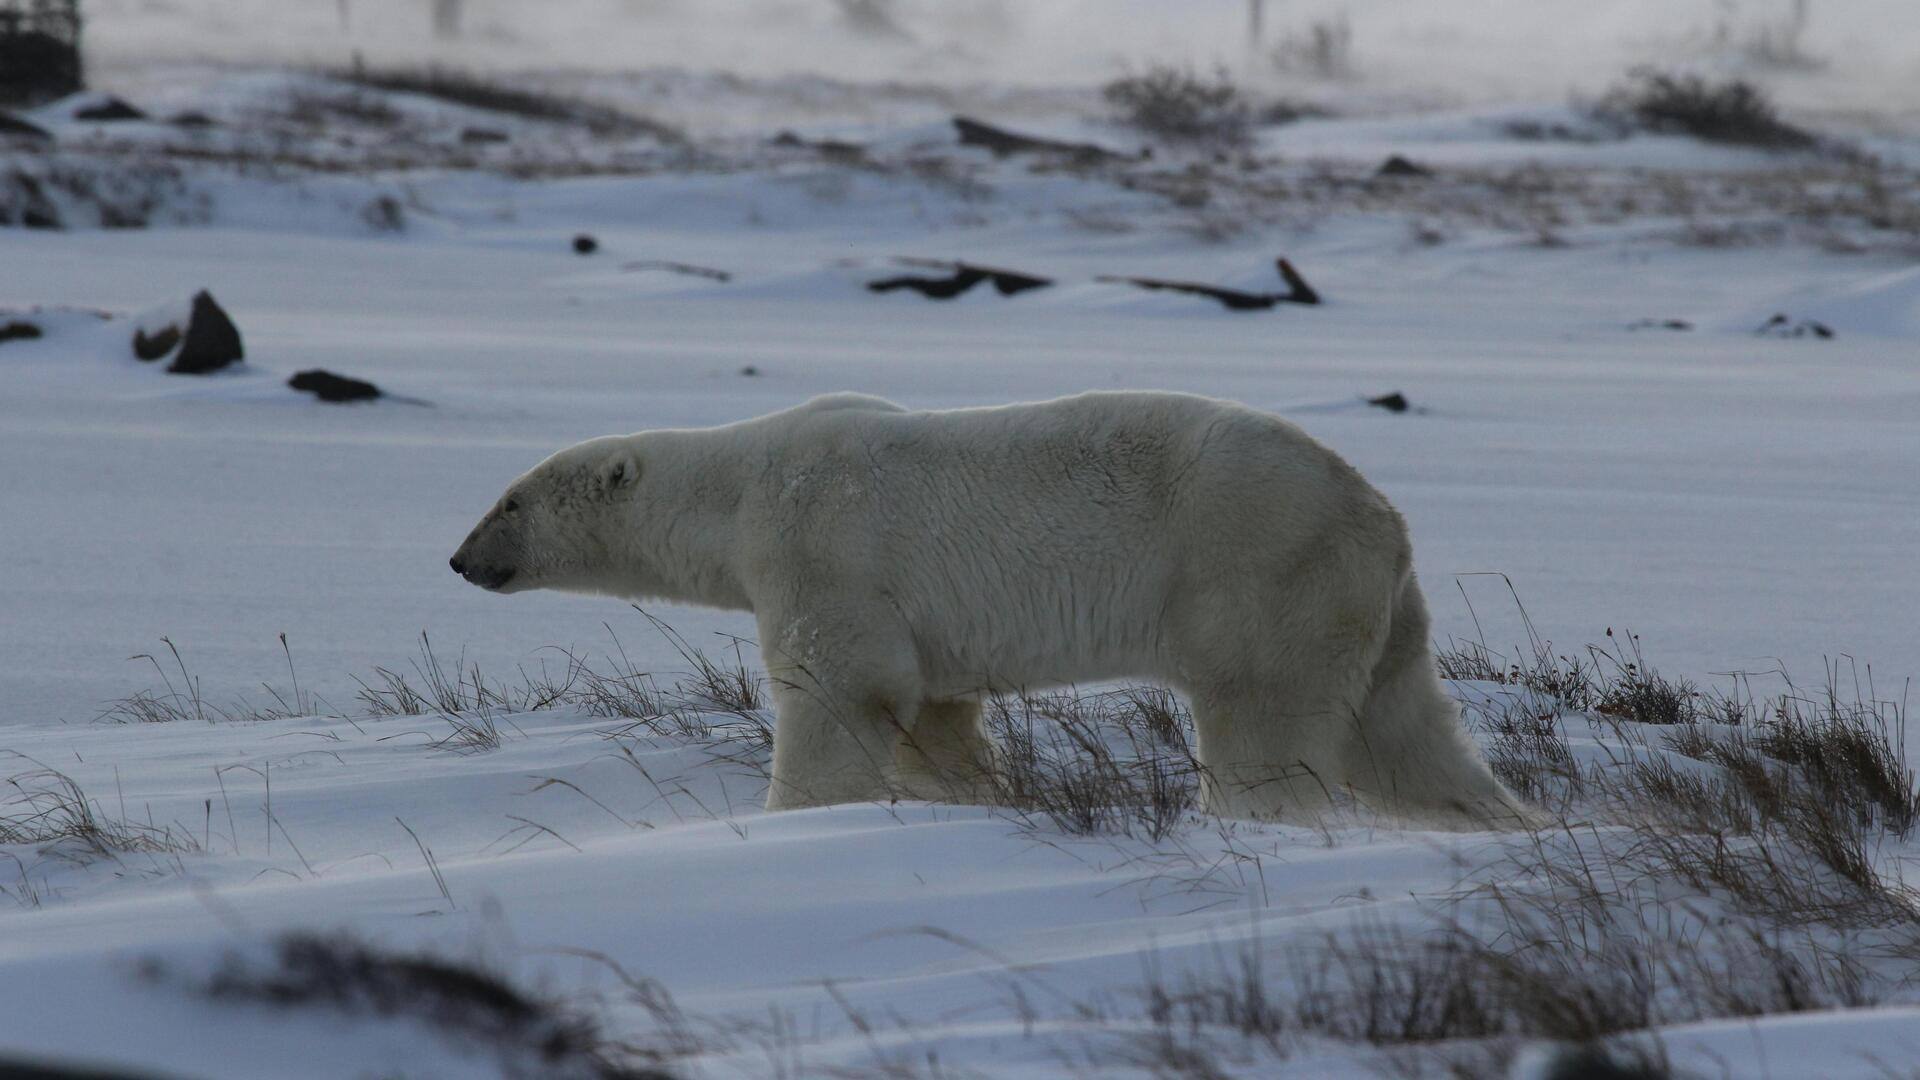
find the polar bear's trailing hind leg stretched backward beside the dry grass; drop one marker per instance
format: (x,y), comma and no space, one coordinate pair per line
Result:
(1412,754)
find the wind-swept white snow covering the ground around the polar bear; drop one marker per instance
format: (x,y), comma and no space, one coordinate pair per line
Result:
(1739,501)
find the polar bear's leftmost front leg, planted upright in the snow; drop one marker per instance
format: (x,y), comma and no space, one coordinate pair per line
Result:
(844,693)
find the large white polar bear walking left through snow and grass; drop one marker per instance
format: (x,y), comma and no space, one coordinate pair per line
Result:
(903,564)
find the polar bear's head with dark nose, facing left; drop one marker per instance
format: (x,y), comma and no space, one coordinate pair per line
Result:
(556,528)
